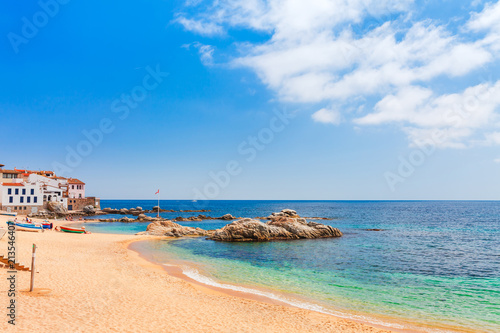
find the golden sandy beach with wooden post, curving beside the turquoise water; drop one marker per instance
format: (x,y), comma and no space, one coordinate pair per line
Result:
(93,283)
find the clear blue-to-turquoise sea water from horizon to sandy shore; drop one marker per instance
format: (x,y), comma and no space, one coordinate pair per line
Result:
(434,262)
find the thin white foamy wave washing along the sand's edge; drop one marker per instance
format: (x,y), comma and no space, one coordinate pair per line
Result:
(197,276)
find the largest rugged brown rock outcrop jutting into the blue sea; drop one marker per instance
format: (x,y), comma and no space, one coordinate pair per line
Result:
(279,228)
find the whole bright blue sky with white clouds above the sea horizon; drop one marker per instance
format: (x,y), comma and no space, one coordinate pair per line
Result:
(253,99)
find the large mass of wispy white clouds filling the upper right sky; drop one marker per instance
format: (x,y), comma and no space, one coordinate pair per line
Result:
(337,52)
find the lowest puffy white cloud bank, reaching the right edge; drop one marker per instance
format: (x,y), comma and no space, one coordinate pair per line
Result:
(454,117)
